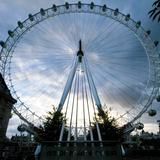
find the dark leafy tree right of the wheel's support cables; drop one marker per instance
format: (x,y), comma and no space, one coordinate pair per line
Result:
(108,126)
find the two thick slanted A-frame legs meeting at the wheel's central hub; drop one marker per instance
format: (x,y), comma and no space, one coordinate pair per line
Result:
(80,61)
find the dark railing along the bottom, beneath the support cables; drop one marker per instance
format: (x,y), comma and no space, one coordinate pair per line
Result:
(110,150)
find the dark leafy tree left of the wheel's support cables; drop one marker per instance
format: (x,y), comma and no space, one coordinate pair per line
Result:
(50,131)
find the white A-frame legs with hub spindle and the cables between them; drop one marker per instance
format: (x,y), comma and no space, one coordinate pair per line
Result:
(80,63)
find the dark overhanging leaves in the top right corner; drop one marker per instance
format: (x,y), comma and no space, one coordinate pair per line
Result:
(155,12)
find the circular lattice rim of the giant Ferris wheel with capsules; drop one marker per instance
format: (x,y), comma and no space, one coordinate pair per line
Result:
(44,14)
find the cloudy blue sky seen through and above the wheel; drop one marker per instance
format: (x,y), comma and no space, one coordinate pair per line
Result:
(30,67)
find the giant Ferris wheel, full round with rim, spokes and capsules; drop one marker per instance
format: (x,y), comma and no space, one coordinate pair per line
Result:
(38,55)
